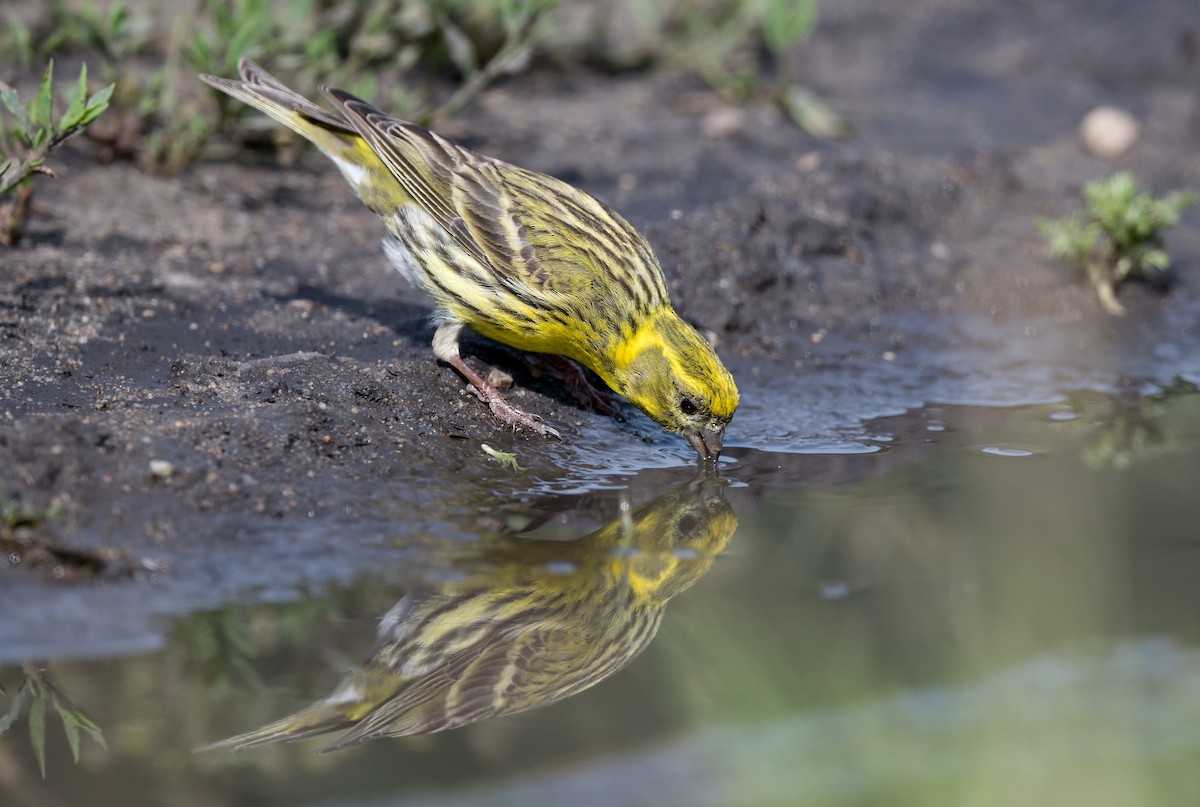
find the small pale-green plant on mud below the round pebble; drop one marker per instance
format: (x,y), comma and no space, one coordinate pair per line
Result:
(1119,237)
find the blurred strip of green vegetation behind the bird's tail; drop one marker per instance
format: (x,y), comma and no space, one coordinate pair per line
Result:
(421,59)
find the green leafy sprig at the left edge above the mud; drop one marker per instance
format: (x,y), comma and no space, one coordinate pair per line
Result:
(28,140)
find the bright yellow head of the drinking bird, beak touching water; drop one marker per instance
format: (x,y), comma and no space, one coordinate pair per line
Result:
(675,376)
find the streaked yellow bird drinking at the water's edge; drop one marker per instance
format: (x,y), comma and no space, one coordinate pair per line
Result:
(518,256)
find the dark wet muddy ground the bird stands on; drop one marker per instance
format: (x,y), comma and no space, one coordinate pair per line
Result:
(218,382)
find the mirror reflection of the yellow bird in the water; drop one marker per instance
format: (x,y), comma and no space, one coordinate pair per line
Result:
(524,624)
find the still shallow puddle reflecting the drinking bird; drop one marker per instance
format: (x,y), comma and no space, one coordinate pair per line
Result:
(981,607)
